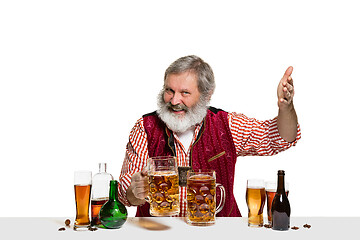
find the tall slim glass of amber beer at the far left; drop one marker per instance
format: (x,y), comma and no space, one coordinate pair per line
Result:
(82,187)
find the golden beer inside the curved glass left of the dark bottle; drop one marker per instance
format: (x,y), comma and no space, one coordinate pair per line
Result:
(255,200)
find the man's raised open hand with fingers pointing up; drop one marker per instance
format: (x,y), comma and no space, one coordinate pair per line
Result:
(285,91)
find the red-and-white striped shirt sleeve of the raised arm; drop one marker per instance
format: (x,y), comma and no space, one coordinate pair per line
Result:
(257,138)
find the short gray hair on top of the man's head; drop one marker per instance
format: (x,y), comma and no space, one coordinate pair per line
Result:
(205,75)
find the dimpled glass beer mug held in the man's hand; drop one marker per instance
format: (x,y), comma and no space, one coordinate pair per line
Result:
(163,186)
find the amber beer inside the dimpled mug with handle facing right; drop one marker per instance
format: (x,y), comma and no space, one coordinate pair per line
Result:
(201,200)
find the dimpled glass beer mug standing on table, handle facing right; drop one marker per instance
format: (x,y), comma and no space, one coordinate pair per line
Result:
(201,197)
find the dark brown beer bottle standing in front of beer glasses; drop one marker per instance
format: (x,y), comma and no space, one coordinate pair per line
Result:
(280,208)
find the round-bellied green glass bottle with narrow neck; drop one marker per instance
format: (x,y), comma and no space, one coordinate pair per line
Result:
(113,213)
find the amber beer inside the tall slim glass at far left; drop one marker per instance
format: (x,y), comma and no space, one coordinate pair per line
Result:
(82,199)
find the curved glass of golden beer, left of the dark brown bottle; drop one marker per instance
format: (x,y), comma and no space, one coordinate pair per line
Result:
(255,200)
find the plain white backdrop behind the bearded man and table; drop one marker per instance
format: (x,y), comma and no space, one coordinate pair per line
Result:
(76,75)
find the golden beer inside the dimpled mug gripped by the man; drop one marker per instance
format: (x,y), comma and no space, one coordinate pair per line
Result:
(164,194)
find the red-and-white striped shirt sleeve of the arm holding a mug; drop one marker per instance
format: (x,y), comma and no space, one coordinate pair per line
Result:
(135,158)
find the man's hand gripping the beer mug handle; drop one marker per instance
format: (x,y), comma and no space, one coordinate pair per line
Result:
(139,188)
